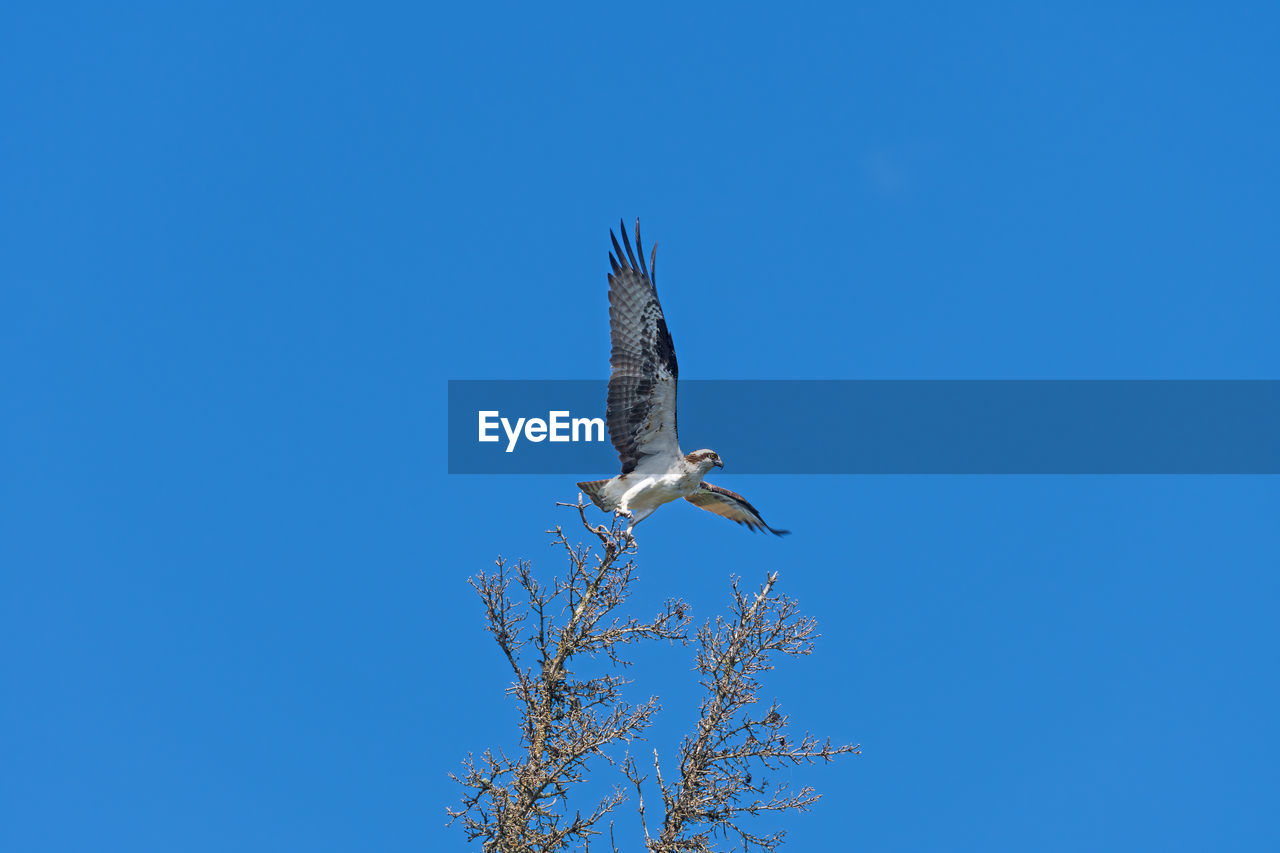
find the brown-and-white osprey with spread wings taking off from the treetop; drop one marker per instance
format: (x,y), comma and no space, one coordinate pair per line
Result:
(642,408)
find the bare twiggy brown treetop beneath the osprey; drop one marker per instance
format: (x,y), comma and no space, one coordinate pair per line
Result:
(520,802)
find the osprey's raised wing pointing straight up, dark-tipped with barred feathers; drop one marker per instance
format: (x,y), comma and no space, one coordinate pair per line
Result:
(642,405)
